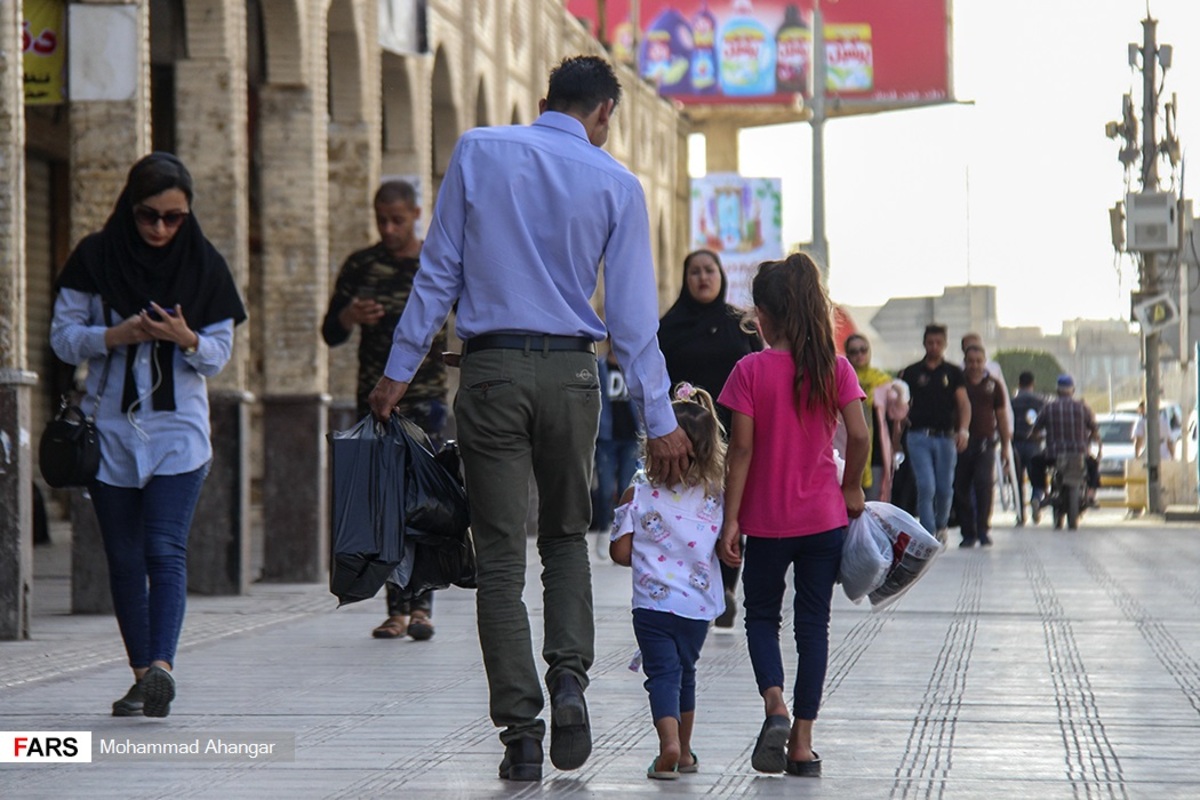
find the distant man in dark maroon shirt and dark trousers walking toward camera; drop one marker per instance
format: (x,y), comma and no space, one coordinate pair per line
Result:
(975,473)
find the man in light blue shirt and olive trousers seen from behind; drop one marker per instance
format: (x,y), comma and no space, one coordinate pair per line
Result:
(525,218)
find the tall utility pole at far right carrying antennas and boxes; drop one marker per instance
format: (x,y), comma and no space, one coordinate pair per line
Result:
(1150,267)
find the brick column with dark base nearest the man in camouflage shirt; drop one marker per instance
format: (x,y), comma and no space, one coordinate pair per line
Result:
(296,288)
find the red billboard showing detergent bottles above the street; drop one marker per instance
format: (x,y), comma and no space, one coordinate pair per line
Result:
(715,52)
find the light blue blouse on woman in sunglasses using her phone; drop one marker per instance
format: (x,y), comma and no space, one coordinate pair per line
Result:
(145,443)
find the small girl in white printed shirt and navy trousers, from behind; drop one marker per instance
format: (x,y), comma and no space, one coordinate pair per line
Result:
(668,534)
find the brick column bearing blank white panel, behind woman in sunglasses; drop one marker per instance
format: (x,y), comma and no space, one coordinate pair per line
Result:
(110,133)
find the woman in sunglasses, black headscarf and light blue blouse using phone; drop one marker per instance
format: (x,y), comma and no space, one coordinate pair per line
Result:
(151,306)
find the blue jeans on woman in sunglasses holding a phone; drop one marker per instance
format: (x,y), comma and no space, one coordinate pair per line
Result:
(146,540)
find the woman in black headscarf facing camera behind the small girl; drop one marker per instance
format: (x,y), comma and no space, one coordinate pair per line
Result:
(703,338)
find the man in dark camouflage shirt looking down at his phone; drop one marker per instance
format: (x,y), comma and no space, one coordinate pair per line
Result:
(371,292)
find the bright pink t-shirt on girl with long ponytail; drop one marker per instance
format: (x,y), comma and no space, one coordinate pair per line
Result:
(793,488)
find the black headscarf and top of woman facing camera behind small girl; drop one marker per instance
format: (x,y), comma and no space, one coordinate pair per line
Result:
(703,342)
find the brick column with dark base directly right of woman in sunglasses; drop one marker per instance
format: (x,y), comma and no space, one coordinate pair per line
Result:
(212,140)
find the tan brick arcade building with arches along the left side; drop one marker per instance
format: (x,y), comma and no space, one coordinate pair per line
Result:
(287,113)
